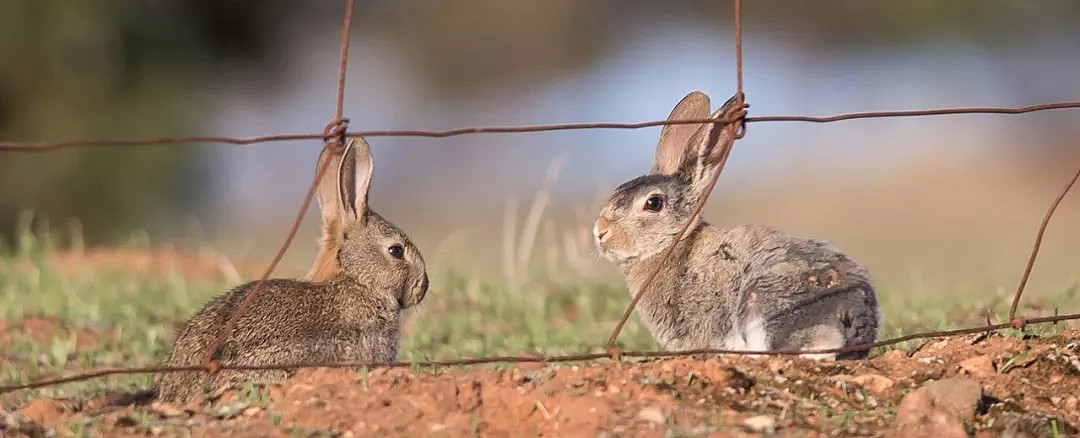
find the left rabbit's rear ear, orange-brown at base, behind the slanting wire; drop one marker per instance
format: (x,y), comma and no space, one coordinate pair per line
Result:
(330,208)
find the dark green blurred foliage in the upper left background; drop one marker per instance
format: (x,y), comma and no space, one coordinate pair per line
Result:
(98,69)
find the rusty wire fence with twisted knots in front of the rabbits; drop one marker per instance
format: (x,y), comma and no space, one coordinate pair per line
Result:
(336,132)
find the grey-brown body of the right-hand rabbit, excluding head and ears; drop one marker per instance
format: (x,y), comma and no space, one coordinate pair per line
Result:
(754,289)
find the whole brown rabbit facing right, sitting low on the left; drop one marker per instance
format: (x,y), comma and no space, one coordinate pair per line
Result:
(349,307)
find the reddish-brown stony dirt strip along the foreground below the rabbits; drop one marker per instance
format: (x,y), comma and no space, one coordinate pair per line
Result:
(1029,387)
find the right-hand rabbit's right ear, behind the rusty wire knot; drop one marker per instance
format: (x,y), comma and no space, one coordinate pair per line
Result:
(709,146)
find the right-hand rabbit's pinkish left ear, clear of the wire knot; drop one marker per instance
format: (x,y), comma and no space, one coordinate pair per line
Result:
(674,140)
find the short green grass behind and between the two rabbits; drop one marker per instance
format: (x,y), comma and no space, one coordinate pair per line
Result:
(463,317)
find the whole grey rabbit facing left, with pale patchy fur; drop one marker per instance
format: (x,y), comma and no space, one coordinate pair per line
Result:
(749,288)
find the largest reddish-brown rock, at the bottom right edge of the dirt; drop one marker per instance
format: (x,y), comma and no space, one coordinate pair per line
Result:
(939,408)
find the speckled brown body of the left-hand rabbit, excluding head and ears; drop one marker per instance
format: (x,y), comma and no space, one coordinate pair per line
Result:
(289,322)
